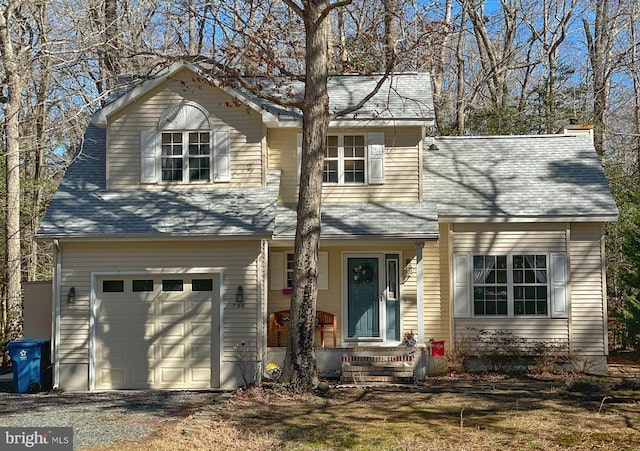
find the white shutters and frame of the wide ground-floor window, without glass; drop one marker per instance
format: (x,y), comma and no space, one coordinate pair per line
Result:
(557,282)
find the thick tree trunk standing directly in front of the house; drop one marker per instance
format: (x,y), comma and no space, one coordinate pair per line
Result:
(300,361)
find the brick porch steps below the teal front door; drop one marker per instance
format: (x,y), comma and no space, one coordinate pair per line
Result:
(377,367)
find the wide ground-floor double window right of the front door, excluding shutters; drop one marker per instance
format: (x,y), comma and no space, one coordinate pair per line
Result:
(515,284)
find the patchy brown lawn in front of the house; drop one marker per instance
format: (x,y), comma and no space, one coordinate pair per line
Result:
(443,414)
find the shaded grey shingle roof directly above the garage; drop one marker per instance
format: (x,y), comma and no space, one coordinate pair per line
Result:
(82,207)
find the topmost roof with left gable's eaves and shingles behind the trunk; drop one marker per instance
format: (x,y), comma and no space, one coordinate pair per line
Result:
(403,97)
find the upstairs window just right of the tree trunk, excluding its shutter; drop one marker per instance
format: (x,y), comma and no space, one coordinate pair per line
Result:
(345,159)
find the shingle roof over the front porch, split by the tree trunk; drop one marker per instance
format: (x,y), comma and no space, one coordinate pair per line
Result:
(411,220)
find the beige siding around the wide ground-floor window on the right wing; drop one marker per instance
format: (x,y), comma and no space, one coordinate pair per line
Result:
(584,328)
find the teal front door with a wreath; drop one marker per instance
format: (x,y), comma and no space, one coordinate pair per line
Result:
(364,300)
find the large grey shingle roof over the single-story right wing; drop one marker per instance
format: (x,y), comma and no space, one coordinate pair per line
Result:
(510,177)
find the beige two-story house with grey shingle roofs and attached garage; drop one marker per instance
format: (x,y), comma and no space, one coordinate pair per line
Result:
(174,227)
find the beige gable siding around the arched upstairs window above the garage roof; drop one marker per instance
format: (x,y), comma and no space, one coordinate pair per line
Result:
(245,127)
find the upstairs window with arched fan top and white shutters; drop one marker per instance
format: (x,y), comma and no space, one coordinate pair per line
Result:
(185,148)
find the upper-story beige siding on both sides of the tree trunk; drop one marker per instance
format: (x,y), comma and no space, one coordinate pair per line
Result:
(401,167)
